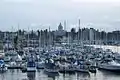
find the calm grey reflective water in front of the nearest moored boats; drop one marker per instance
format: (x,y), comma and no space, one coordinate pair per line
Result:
(41,75)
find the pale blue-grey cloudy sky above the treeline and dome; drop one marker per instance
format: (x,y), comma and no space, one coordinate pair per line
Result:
(40,14)
